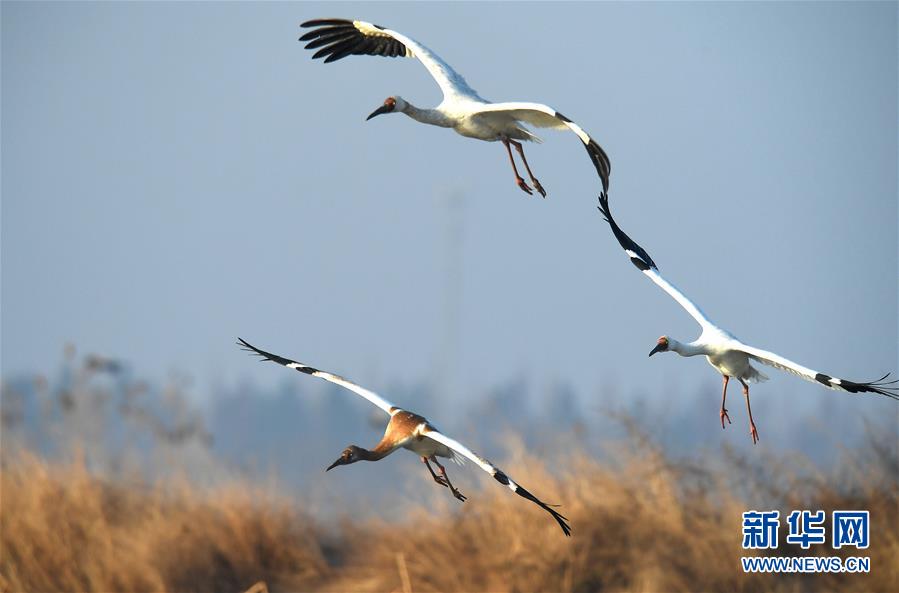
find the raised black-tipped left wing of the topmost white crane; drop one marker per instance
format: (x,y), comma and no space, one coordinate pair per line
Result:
(337,38)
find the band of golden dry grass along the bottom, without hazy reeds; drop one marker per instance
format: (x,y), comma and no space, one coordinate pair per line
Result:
(645,524)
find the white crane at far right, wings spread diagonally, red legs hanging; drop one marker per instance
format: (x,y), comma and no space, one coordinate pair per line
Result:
(723,350)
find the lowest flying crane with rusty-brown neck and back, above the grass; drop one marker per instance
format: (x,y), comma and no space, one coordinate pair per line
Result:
(413,432)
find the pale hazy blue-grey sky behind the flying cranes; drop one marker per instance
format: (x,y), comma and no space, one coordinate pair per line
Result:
(175,175)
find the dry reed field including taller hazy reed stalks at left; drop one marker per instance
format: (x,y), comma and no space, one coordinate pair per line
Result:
(77,516)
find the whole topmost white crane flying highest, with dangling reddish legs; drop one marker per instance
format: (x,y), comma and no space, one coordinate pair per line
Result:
(462,109)
